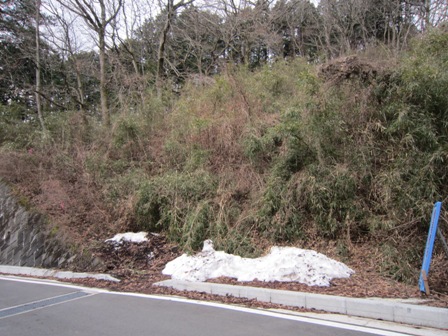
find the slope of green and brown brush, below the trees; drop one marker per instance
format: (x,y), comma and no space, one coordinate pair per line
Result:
(347,154)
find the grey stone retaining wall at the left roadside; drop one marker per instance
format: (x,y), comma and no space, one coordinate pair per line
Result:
(24,237)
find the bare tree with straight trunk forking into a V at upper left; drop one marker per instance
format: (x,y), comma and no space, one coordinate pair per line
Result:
(98,15)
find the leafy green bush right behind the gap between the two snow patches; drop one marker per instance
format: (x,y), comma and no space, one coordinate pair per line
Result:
(177,204)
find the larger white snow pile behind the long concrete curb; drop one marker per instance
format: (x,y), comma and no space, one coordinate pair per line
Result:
(286,264)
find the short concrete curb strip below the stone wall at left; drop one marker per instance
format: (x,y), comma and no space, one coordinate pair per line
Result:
(40,272)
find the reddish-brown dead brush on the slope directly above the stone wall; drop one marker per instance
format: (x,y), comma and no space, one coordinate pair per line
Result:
(68,197)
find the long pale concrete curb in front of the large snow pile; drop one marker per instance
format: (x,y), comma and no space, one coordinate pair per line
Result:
(380,309)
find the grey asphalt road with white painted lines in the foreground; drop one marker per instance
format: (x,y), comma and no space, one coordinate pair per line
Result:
(38,307)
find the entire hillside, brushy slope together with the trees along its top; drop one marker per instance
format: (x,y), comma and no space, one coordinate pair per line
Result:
(252,124)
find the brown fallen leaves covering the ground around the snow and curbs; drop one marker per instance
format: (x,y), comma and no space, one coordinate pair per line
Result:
(140,265)
